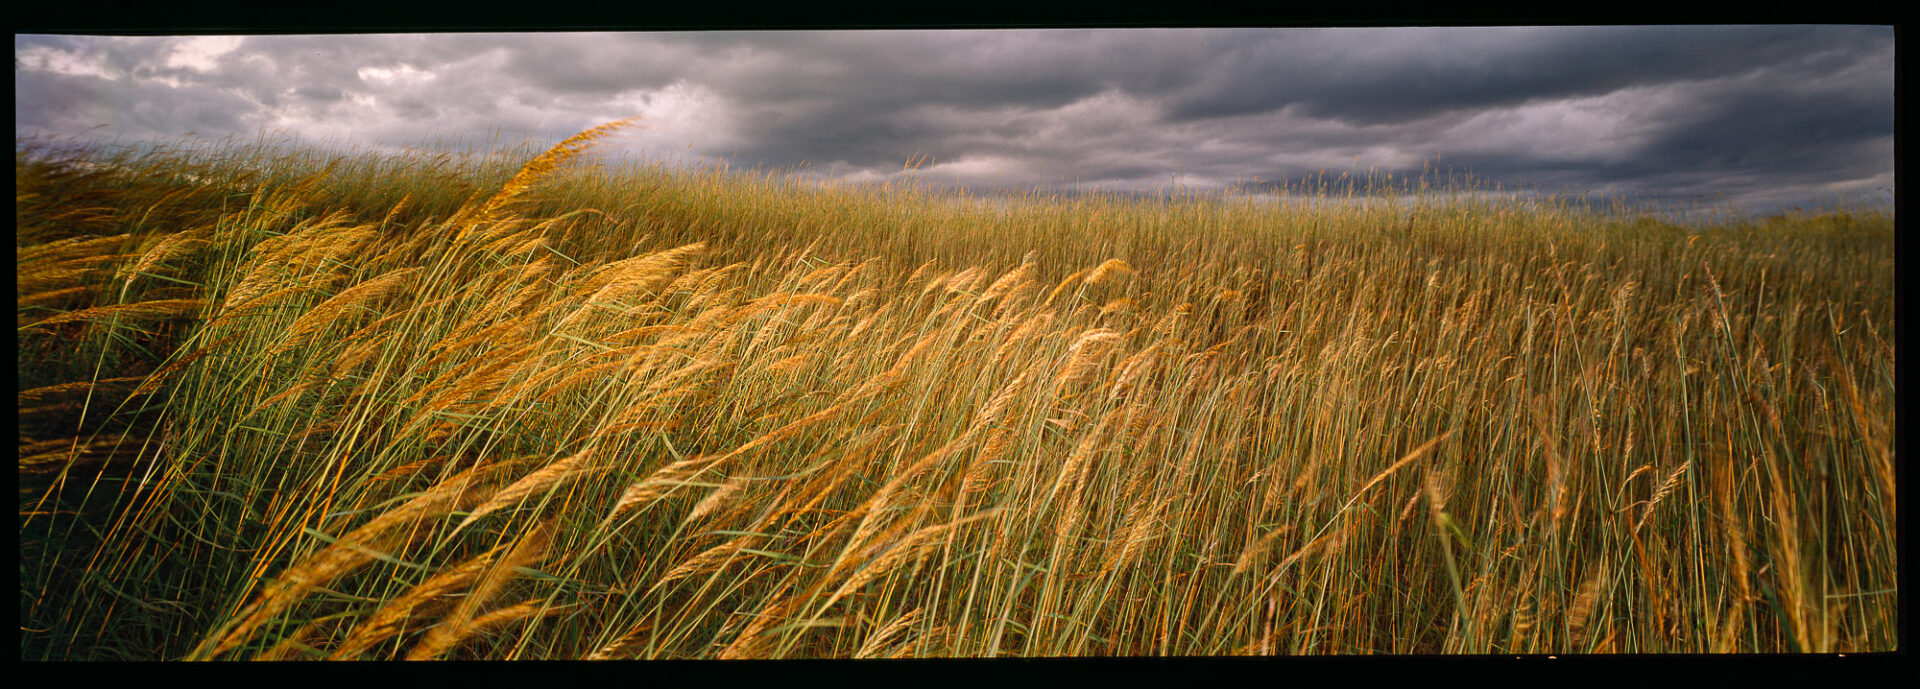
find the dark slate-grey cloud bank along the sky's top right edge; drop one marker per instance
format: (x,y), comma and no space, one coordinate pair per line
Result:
(1395,76)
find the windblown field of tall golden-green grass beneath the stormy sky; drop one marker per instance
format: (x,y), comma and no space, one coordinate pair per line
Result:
(297,404)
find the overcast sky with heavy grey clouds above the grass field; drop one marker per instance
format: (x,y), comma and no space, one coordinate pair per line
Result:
(1758,116)
